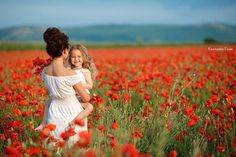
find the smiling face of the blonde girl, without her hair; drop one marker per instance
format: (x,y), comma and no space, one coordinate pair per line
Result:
(76,58)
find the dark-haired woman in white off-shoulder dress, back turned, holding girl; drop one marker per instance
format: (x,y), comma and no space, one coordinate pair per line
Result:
(62,83)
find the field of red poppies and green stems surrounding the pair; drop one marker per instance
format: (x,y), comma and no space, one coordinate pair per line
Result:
(148,102)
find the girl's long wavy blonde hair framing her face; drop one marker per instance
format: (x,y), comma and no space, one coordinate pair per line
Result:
(88,62)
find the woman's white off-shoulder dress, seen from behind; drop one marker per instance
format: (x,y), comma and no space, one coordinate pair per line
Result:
(64,106)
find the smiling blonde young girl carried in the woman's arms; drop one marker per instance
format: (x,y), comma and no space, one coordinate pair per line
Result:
(82,63)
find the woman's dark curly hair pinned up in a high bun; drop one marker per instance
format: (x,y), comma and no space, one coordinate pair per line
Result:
(56,42)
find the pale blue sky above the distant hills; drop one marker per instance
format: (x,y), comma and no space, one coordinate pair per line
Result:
(66,13)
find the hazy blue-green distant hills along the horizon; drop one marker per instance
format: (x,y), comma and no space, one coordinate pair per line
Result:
(128,33)
